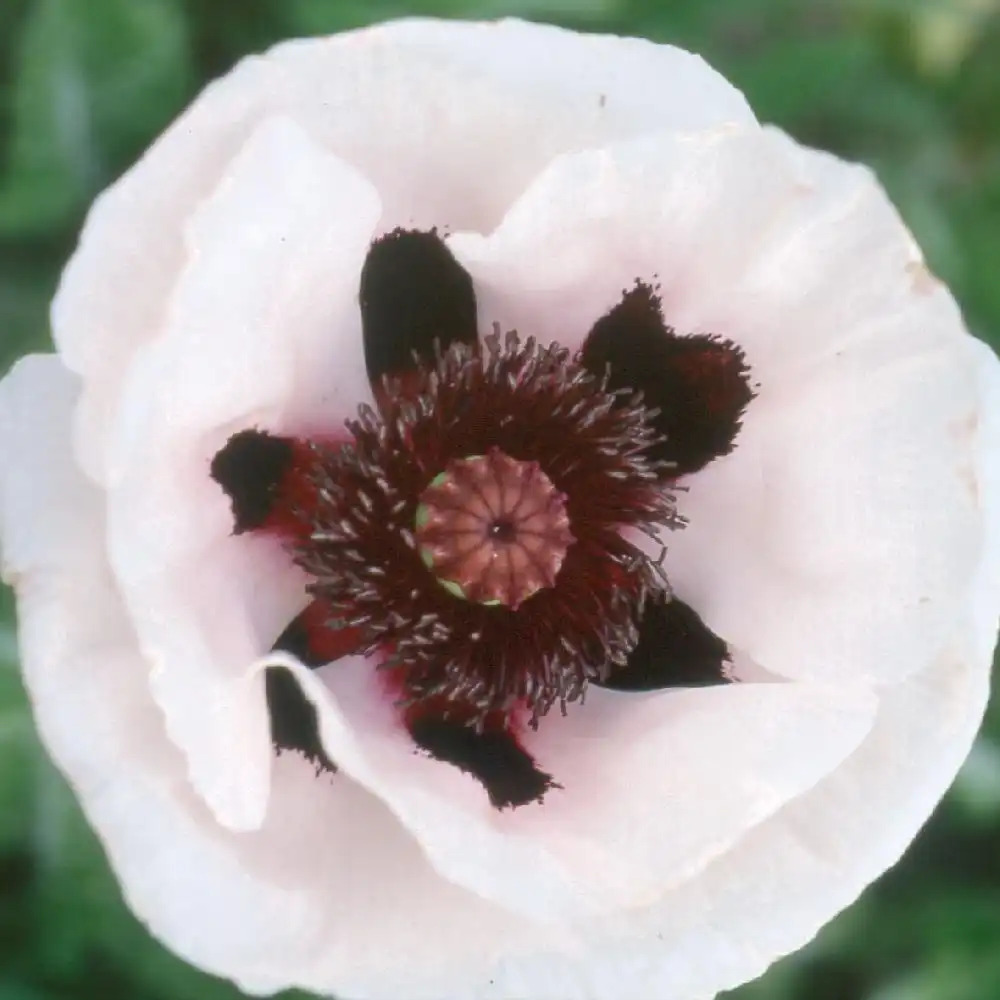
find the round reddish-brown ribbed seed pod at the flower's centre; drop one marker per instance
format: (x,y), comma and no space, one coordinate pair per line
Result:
(492,529)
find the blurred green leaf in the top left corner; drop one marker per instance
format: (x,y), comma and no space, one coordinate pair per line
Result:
(95,82)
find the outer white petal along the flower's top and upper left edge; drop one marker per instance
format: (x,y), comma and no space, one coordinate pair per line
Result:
(541,91)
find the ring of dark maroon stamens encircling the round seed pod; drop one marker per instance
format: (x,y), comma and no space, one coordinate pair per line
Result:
(360,520)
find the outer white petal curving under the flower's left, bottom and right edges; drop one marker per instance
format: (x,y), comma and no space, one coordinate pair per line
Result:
(279,907)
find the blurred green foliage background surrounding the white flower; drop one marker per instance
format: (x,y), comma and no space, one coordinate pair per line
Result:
(909,87)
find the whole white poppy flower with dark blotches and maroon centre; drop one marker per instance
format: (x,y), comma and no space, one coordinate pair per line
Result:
(417,705)
